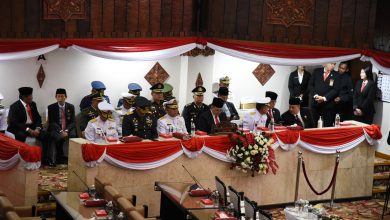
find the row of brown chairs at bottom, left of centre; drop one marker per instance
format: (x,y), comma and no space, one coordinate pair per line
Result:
(128,206)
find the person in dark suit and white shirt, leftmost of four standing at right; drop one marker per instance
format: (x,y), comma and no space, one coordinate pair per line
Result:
(298,85)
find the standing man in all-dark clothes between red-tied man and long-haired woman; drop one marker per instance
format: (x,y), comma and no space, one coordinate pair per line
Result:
(344,100)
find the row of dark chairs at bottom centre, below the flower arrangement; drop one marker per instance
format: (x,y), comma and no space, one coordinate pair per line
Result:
(250,210)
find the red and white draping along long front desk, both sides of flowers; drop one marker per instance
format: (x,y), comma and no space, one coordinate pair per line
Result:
(149,155)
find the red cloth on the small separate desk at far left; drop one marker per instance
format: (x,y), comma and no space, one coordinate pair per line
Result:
(9,147)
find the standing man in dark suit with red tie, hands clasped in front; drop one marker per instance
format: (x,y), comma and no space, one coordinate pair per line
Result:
(323,89)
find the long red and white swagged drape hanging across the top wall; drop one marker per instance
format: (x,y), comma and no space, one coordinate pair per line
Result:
(161,48)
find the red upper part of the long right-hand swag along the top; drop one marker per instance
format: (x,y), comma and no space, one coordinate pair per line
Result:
(283,50)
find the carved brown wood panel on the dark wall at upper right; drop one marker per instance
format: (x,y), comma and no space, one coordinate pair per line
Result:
(289,12)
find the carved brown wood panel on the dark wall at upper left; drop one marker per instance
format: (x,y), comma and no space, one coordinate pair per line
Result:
(64,9)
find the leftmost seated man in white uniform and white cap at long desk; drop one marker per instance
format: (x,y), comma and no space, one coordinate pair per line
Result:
(102,129)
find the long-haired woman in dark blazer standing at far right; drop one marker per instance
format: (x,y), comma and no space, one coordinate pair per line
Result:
(363,97)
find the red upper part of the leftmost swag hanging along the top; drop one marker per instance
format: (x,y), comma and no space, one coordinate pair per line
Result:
(9,46)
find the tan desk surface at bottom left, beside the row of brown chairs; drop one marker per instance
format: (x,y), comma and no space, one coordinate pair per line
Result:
(68,207)
